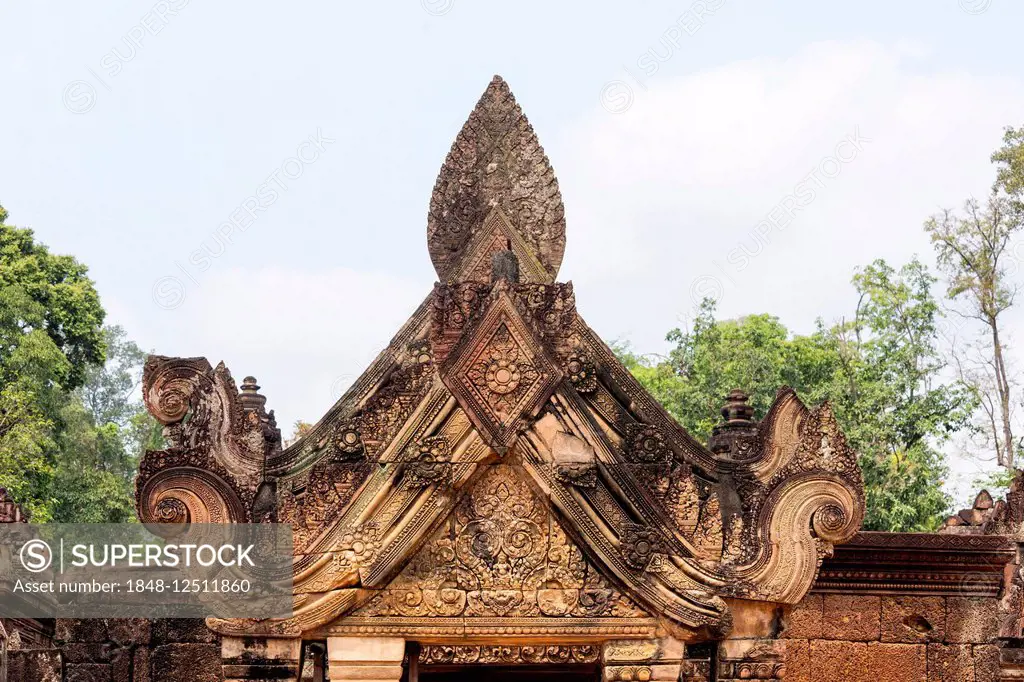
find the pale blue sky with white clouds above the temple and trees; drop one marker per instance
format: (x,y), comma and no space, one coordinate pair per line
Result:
(133,133)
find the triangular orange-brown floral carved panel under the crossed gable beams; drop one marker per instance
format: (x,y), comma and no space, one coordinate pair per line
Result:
(501,564)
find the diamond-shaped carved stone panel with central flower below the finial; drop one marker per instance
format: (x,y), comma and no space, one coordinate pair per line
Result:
(502,374)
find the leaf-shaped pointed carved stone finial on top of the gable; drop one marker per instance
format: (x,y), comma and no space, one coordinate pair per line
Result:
(496,164)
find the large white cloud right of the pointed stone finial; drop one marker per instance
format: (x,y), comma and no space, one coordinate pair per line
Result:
(659,197)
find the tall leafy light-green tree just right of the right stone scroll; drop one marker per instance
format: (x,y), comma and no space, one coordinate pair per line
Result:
(891,401)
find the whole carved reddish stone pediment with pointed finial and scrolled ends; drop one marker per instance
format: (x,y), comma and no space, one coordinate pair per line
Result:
(497,471)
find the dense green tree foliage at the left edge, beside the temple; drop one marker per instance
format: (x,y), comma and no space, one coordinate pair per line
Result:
(71,428)
